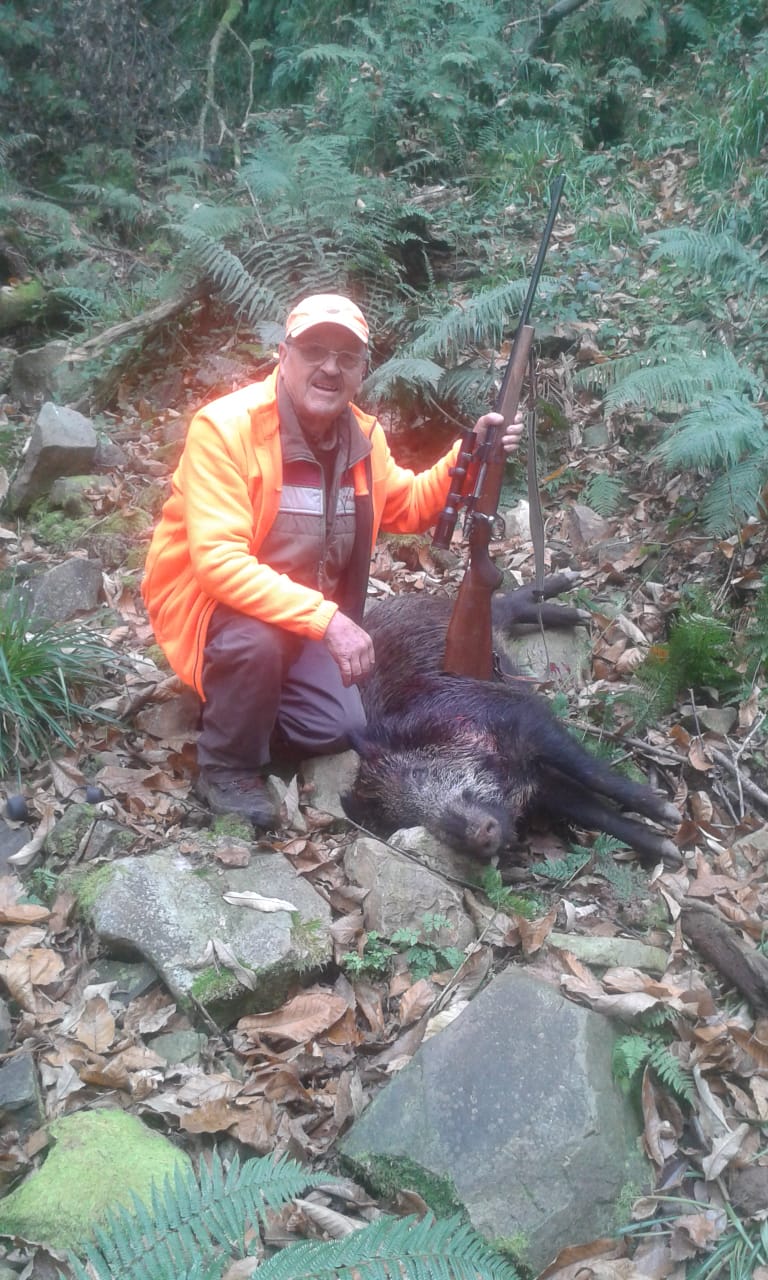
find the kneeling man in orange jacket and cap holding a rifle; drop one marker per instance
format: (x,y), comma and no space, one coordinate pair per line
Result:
(257,575)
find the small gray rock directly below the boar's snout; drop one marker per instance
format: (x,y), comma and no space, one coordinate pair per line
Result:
(400,893)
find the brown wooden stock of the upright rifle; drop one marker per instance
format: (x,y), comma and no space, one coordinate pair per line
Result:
(469,644)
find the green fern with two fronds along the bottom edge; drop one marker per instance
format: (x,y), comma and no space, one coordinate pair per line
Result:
(196,1226)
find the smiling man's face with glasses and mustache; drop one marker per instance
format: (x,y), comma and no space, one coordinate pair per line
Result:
(322,390)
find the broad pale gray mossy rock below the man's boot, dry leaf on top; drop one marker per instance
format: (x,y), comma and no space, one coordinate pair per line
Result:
(168,907)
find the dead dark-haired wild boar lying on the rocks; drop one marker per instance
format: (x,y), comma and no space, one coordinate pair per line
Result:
(476,761)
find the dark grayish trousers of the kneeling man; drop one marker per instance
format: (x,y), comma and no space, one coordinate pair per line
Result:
(269,693)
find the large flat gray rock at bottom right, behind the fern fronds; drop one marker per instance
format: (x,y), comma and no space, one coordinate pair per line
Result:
(511,1113)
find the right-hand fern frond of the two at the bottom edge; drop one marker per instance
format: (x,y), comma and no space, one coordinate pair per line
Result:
(388,1250)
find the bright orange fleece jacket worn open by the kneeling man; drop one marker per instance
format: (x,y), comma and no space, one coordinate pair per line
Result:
(225,497)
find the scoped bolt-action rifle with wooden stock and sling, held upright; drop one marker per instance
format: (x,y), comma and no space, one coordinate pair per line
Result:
(477,486)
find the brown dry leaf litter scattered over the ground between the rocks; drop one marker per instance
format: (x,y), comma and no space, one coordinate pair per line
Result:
(292,1080)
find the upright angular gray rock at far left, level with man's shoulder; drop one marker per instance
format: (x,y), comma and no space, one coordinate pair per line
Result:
(63,444)
